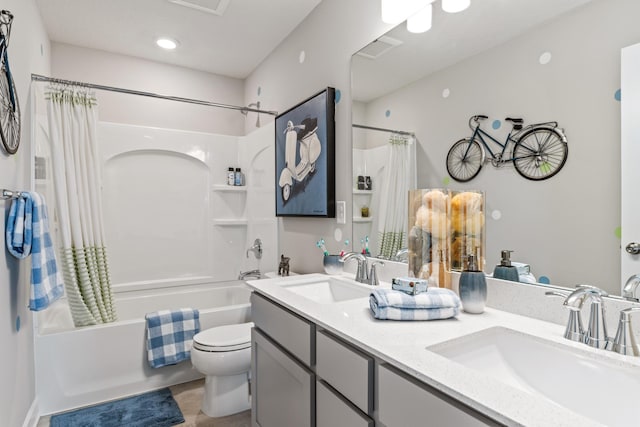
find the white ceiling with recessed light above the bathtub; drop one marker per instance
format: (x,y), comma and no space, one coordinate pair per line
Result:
(232,45)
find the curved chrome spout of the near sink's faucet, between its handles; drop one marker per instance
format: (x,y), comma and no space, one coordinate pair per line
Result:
(596,335)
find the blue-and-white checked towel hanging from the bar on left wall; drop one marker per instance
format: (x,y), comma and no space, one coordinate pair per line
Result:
(27,233)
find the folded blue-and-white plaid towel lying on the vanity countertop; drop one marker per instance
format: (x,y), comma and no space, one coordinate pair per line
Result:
(436,303)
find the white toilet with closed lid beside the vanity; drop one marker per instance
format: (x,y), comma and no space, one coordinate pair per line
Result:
(223,355)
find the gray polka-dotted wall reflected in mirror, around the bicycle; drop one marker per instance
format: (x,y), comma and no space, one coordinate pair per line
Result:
(565,226)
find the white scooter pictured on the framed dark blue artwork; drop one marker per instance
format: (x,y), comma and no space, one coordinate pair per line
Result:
(310,149)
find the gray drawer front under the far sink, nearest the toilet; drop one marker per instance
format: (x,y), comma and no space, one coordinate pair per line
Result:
(290,330)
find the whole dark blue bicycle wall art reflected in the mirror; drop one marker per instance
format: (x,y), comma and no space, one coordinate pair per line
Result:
(537,151)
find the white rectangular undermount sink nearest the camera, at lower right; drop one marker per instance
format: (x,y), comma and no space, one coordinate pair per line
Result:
(605,391)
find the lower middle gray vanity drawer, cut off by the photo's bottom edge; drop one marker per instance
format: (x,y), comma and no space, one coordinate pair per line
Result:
(334,410)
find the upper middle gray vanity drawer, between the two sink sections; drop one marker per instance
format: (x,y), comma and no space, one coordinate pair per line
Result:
(346,369)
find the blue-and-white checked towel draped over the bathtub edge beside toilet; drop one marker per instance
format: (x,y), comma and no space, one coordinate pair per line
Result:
(170,335)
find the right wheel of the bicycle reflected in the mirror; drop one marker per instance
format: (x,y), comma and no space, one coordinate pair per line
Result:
(540,154)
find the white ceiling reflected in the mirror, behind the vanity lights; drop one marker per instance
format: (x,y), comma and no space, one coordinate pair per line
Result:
(453,37)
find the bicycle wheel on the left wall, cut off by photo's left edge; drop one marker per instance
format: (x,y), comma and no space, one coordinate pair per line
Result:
(9,111)
